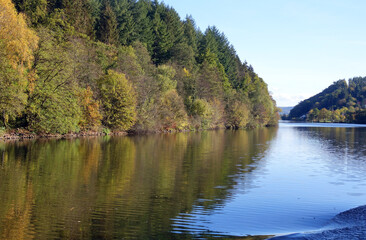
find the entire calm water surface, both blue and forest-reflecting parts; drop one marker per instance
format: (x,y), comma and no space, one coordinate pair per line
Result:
(180,186)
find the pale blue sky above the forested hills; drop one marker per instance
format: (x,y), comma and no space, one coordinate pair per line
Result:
(299,47)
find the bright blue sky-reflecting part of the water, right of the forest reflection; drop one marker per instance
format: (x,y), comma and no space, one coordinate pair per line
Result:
(305,177)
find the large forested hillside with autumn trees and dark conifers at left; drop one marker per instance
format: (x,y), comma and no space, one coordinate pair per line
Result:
(71,66)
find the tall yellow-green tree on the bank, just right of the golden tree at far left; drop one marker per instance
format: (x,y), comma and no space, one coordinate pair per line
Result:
(53,105)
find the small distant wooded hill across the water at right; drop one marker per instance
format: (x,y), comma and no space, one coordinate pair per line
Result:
(340,102)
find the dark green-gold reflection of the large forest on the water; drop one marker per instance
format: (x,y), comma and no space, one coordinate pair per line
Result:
(122,187)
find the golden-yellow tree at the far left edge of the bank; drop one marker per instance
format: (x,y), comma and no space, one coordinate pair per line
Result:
(17,43)
